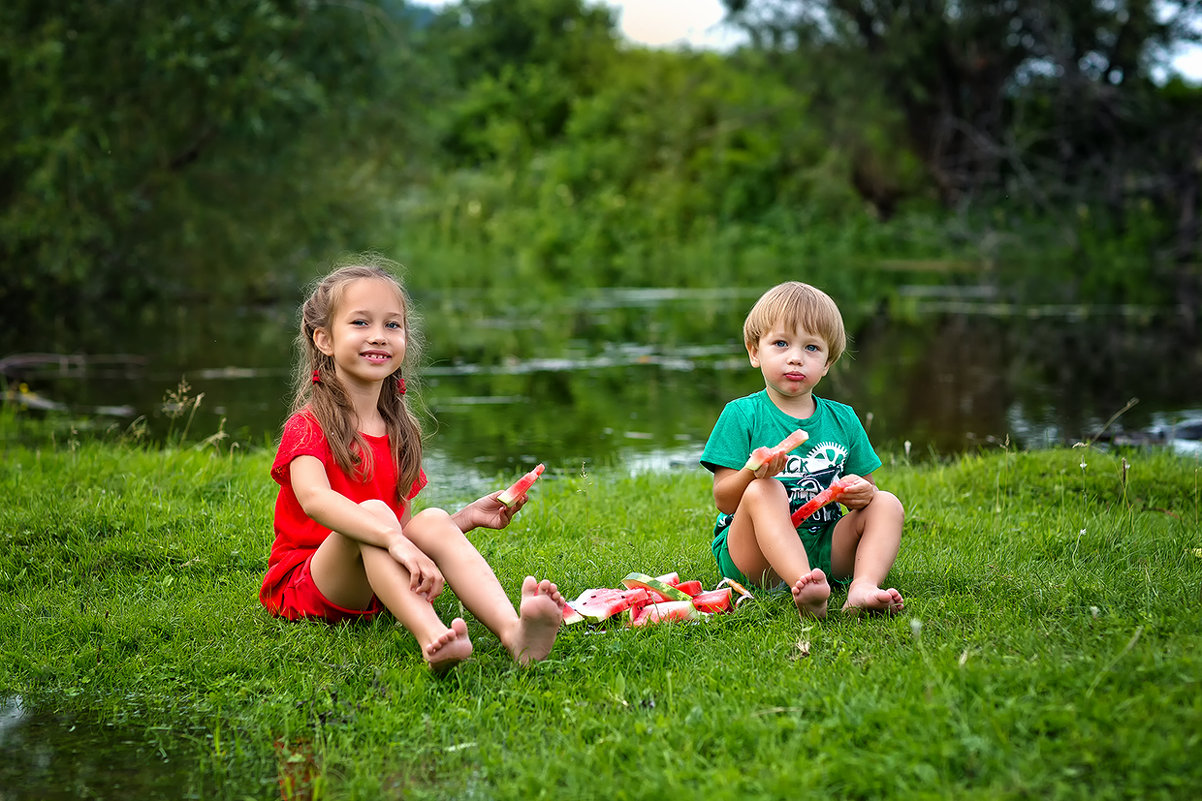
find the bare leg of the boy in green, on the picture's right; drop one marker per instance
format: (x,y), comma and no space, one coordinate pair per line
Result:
(865,545)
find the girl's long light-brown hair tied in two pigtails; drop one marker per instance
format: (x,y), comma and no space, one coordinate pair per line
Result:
(326,399)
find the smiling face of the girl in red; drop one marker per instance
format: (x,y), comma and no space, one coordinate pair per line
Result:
(367,334)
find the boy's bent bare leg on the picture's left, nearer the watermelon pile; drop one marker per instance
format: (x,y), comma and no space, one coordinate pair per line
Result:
(765,547)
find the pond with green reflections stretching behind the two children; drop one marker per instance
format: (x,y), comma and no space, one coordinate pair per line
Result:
(636,378)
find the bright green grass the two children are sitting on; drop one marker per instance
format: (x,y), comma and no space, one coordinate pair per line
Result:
(1051,645)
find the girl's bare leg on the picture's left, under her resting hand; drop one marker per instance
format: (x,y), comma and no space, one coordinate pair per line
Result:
(348,573)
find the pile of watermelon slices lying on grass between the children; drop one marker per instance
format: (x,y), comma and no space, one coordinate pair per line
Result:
(645,600)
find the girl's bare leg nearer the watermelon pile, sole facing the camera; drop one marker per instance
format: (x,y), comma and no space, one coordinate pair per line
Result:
(527,633)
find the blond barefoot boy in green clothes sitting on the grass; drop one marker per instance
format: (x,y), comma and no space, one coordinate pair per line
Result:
(794,335)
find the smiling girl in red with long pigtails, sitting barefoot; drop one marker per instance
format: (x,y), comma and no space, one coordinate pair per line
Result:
(349,466)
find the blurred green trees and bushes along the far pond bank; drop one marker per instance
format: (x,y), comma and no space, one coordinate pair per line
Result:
(231,149)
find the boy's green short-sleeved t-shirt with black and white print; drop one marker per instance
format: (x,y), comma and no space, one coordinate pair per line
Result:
(838,447)
